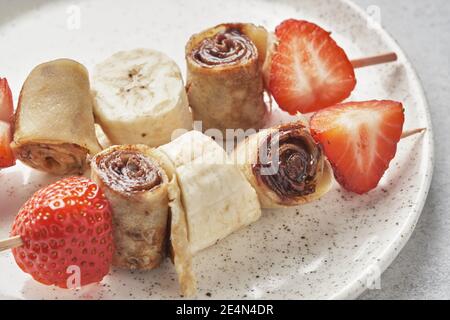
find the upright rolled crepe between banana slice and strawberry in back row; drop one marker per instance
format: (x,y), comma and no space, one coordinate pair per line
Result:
(225,82)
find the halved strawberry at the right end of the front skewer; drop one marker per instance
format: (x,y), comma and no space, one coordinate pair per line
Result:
(360,140)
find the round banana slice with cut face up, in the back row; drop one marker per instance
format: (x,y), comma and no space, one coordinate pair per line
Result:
(140,98)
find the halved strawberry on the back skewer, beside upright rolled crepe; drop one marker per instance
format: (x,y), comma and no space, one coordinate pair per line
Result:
(309,70)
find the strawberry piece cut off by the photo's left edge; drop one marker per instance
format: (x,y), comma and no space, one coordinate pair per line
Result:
(6,119)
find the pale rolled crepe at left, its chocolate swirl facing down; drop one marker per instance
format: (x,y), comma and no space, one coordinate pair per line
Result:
(54,121)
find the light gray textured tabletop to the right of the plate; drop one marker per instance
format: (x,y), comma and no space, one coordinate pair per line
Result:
(422,271)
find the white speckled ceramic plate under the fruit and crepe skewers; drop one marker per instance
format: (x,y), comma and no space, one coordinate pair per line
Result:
(334,248)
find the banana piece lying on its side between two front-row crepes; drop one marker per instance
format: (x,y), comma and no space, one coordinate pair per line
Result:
(216,197)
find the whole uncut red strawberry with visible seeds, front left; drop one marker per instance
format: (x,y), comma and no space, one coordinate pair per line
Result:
(65,225)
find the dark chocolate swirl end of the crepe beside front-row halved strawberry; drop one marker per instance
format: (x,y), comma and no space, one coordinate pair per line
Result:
(292,162)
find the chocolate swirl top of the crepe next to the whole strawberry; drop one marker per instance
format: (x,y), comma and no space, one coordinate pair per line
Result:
(129,171)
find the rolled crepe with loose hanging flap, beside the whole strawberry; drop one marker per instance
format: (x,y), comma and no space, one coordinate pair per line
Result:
(141,186)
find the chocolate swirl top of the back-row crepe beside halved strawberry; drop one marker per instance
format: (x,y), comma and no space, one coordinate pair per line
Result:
(226,48)
